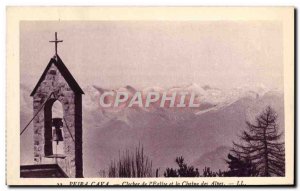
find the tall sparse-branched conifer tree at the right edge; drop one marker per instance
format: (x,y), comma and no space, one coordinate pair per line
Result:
(261,145)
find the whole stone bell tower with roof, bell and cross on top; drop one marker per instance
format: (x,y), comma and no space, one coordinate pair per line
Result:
(57,84)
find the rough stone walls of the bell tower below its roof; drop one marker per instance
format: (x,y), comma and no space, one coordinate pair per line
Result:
(55,83)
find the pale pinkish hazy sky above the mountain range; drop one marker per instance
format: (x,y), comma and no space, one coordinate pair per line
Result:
(112,54)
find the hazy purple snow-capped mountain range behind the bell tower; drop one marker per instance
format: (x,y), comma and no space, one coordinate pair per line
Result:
(201,135)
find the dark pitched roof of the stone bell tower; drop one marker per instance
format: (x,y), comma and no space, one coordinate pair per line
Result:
(65,73)
